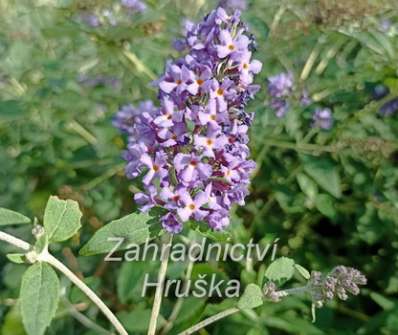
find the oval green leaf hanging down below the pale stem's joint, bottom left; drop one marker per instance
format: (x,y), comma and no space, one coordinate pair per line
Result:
(39,297)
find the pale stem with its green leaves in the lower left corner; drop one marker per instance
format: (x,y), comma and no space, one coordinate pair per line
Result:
(40,288)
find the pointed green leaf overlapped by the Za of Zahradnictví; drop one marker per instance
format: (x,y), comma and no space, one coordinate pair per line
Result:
(132,229)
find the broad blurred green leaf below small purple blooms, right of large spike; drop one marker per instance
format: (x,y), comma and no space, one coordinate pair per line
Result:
(325,172)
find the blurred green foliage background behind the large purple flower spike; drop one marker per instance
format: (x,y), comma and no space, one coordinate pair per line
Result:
(330,197)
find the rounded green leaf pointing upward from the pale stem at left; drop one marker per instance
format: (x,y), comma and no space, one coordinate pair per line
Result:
(61,219)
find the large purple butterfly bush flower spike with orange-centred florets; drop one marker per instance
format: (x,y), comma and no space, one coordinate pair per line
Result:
(192,151)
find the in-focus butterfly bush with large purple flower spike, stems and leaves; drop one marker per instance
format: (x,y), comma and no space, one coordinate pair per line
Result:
(193,155)
